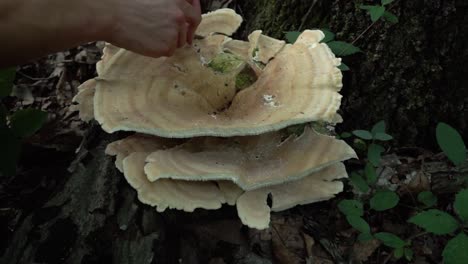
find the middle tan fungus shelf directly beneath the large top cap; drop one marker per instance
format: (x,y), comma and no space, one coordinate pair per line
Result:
(250,162)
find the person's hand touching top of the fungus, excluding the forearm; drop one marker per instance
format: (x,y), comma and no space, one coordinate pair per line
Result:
(153,27)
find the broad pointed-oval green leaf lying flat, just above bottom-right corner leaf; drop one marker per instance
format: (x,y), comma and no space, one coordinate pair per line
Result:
(435,221)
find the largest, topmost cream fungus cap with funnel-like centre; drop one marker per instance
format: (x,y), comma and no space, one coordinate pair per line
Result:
(182,96)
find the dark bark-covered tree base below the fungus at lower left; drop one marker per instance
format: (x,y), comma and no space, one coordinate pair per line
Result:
(94,216)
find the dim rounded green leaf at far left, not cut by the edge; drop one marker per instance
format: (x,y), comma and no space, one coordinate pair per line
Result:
(26,122)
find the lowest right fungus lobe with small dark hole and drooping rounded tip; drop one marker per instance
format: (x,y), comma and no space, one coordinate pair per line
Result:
(254,211)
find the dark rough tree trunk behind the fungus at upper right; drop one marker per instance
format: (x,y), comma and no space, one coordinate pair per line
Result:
(411,74)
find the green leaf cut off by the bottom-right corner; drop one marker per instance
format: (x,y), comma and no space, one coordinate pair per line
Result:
(455,250)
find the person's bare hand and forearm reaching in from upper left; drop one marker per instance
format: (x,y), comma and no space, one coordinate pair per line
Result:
(33,28)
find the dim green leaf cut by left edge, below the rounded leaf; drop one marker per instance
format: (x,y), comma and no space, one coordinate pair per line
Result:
(9,152)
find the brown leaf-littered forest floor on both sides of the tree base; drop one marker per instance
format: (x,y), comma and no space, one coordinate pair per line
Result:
(316,233)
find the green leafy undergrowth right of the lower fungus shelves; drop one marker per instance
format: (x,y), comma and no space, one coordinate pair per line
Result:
(419,214)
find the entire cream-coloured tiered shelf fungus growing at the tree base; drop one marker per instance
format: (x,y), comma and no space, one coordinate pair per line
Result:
(214,122)
